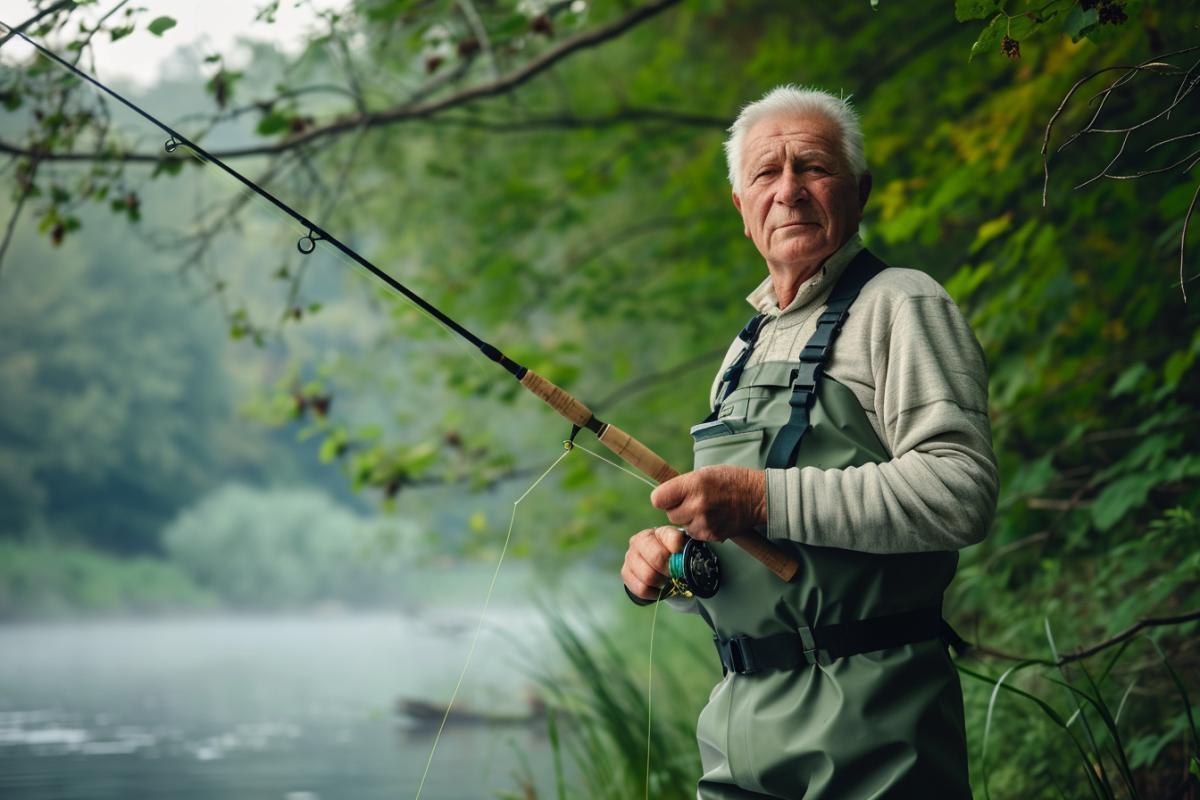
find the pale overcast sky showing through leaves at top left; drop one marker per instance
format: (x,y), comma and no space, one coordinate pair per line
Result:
(209,26)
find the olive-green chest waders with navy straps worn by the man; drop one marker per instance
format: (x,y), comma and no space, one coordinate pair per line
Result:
(838,685)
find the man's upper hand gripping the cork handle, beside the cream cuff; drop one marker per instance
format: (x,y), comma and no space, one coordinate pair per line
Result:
(715,503)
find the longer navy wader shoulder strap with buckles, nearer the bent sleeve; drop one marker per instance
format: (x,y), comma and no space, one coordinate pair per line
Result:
(817,353)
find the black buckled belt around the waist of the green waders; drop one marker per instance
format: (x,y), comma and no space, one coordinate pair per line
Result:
(811,646)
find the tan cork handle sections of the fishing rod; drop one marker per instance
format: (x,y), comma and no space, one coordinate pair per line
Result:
(649,462)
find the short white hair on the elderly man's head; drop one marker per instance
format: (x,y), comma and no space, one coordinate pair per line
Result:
(797,101)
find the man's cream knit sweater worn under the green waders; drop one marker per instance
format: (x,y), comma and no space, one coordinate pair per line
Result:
(911,360)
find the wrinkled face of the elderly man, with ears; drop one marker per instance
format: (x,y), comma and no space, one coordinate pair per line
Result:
(800,201)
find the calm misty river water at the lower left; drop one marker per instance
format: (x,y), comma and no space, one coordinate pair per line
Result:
(291,709)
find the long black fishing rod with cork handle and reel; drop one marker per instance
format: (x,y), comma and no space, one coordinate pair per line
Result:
(695,572)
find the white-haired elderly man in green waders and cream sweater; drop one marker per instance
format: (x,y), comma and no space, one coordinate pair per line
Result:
(850,425)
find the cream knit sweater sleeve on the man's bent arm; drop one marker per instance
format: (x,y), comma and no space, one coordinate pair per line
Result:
(939,490)
